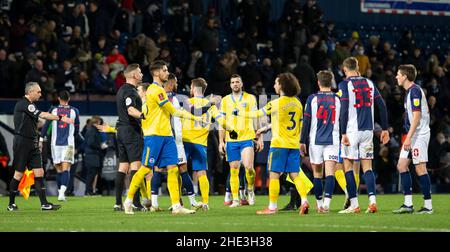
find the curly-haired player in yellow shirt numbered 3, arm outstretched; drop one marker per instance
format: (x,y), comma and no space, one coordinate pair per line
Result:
(284,154)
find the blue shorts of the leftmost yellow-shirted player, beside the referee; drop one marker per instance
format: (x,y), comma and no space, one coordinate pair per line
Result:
(159,151)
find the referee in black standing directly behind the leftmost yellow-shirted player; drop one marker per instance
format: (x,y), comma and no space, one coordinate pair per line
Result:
(129,132)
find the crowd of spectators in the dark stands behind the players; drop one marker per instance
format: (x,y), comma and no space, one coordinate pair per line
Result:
(84,46)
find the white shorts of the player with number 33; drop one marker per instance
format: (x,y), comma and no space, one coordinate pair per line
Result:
(361,145)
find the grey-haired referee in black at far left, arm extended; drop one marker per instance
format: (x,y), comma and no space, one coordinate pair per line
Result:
(27,154)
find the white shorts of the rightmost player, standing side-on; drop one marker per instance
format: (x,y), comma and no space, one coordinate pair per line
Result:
(419,149)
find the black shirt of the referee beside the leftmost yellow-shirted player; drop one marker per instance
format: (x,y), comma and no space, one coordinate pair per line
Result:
(127,96)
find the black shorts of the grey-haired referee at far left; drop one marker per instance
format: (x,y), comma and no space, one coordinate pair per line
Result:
(26,153)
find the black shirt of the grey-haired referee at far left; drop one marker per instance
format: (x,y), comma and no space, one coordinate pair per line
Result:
(26,117)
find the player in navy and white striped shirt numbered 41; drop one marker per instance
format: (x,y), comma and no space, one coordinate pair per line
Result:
(321,126)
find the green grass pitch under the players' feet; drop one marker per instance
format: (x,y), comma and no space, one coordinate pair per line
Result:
(82,214)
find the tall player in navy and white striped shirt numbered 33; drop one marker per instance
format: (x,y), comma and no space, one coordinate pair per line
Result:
(358,95)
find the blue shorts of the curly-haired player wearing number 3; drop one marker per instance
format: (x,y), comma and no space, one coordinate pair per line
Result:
(283,160)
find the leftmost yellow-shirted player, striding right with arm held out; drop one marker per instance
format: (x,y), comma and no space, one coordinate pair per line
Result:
(159,144)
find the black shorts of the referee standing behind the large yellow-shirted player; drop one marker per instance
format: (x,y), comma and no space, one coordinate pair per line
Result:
(130,142)
